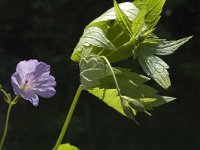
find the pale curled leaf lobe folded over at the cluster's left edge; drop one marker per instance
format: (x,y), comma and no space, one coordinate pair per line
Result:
(92,36)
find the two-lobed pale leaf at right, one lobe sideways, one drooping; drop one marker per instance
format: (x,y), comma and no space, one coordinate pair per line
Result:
(152,65)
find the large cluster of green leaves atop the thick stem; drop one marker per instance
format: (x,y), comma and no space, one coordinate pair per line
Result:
(124,31)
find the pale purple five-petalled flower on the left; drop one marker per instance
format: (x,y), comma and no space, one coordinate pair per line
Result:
(32,79)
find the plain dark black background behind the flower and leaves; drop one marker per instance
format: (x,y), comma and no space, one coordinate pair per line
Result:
(48,30)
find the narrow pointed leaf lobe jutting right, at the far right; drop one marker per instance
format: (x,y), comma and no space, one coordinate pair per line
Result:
(169,47)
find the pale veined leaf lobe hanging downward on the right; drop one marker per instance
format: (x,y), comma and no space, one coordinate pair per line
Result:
(153,66)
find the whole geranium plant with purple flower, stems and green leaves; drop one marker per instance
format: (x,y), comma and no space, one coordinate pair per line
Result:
(125,31)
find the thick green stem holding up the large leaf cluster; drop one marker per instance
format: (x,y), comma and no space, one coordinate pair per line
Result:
(68,119)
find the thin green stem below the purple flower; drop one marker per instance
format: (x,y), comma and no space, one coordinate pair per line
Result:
(6,125)
